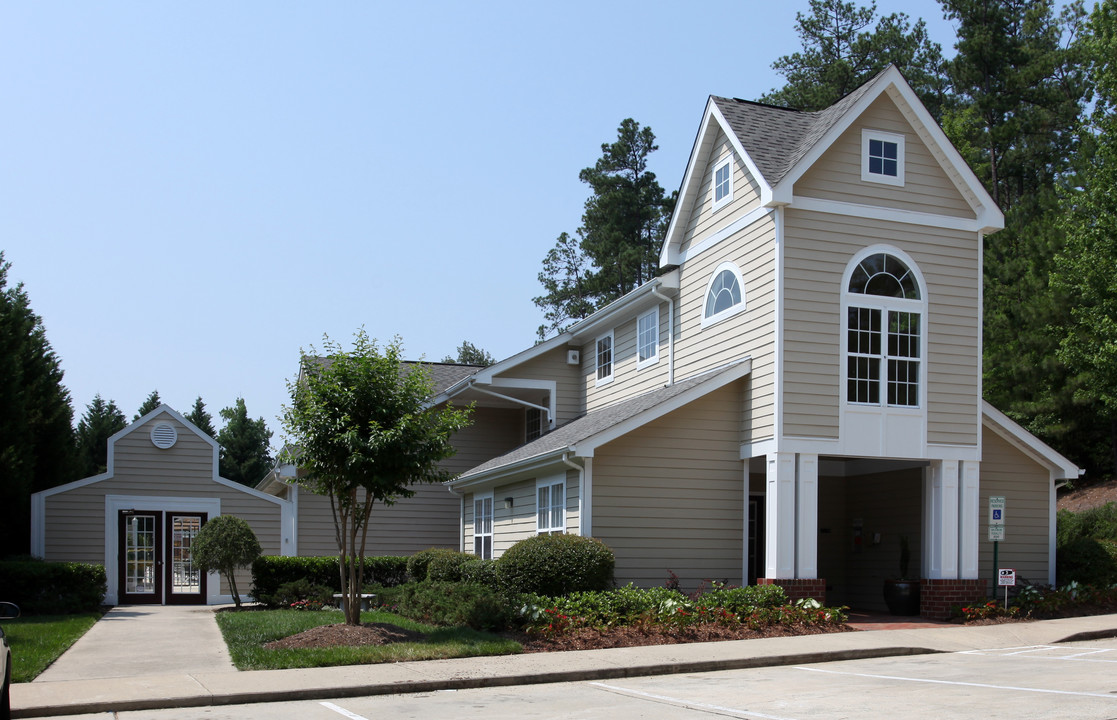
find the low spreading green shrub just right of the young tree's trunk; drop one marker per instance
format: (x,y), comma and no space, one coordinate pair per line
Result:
(453,604)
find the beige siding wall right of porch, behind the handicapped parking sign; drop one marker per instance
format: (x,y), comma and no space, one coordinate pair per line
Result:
(1026,487)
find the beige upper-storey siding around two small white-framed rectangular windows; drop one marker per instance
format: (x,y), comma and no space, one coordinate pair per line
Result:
(628,381)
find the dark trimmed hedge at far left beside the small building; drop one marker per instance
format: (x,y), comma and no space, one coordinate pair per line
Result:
(53,589)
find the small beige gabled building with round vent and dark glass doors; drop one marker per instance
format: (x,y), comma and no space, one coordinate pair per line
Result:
(139,519)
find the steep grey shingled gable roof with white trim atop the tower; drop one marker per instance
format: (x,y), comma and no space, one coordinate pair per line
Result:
(778,146)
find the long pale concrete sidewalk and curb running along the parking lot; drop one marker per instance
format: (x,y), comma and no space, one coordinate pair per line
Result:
(218,687)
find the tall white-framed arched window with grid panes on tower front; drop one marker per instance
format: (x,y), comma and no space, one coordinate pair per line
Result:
(884,333)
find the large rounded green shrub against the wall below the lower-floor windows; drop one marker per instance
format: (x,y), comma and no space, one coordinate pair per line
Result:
(556,565)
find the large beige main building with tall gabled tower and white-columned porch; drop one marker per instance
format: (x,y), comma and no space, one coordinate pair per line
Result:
(799,389)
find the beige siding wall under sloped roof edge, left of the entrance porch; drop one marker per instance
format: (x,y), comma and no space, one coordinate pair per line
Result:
(670,496)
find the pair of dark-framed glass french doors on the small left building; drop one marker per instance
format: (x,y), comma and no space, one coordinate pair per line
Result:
(156,563)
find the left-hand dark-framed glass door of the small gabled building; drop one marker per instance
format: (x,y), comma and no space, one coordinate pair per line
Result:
(141,565)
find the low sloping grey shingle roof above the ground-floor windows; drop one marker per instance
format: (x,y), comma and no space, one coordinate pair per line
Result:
(595,423)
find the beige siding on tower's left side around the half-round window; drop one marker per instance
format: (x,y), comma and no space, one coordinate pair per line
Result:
(751,333)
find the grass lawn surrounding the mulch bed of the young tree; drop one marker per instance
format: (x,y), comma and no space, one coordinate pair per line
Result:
(246,633)
